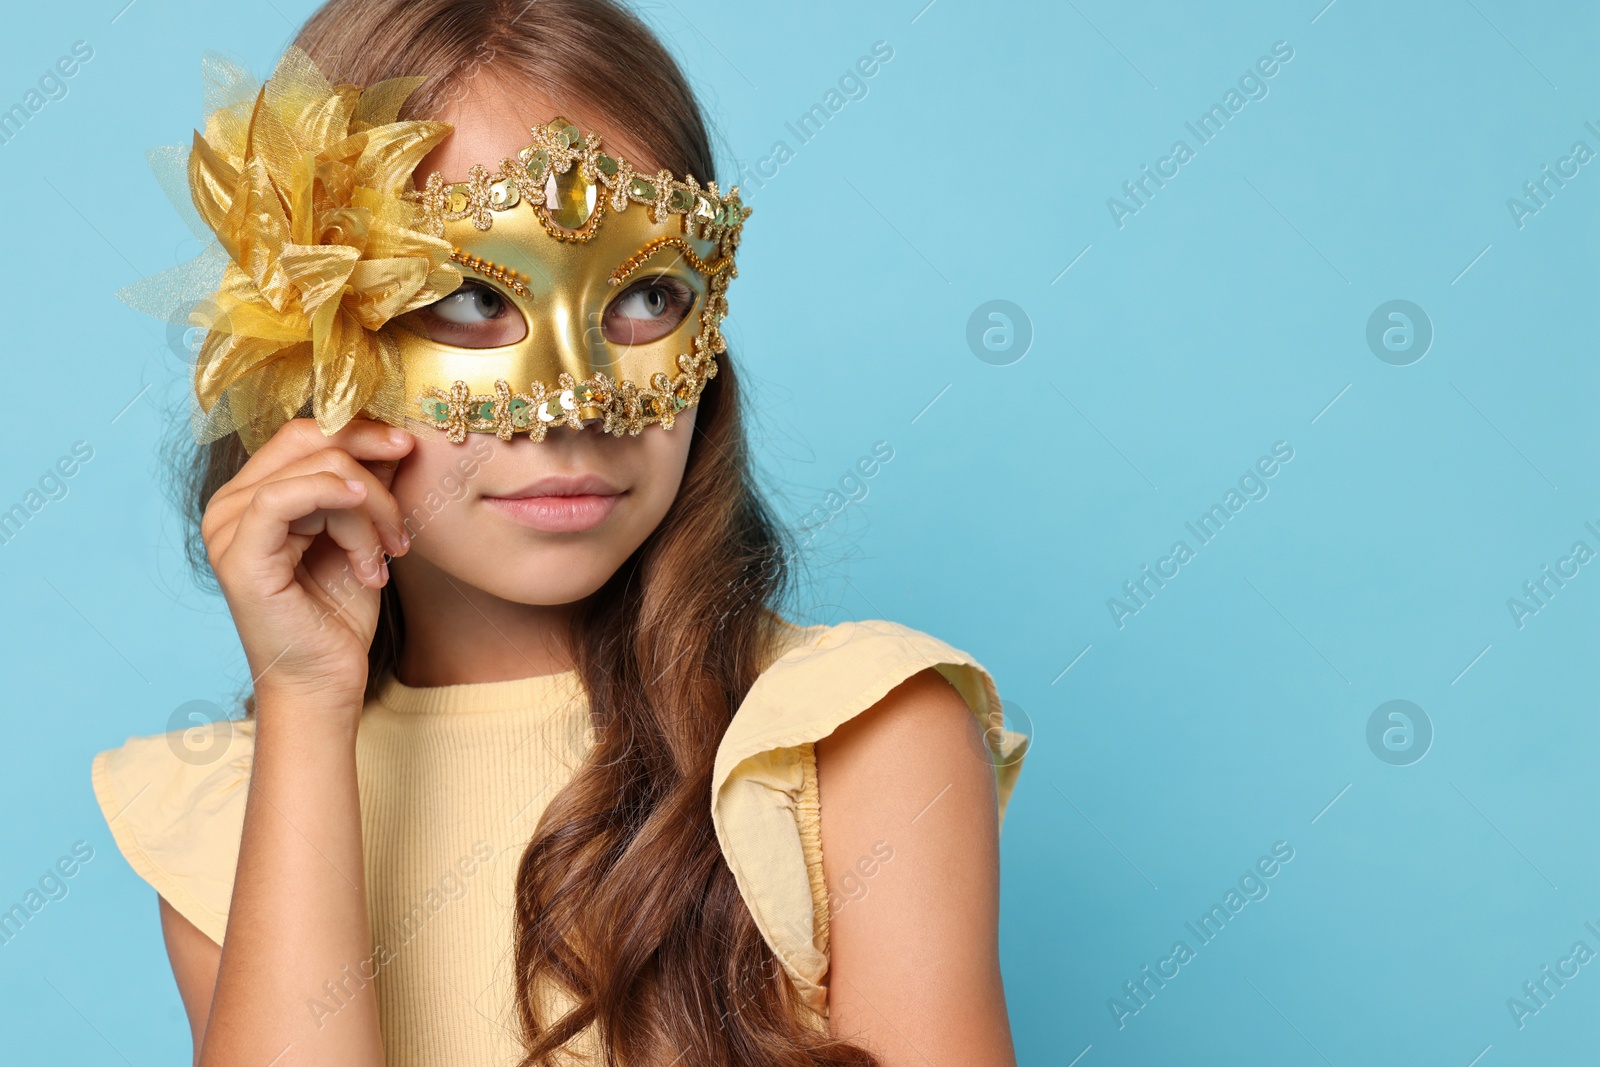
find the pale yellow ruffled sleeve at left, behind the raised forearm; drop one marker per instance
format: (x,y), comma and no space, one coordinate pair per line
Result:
(175,805)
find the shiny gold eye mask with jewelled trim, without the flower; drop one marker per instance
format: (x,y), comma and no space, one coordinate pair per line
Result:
(593,292)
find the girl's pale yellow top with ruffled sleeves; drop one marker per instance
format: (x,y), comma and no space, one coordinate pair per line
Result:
(454,781)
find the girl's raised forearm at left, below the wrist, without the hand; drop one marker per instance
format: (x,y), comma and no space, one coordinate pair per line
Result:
(298,917)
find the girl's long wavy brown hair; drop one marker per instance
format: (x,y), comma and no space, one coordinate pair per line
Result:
(623,895)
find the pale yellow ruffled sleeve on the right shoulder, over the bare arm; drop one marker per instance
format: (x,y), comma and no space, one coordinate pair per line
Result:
(764,780)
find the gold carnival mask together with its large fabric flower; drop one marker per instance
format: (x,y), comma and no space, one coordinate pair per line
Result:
(566,287)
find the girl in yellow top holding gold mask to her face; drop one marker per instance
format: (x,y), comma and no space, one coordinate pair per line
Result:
(534,772)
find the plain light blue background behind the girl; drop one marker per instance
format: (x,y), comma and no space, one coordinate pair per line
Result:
(1223,318)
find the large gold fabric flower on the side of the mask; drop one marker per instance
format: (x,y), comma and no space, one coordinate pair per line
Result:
(305,185)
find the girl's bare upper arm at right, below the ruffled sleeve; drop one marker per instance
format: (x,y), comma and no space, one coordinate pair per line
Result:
(911,858)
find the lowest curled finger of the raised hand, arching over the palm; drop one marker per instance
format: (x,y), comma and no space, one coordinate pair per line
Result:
(262,533)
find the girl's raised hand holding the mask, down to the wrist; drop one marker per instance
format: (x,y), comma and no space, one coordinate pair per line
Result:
(297,541)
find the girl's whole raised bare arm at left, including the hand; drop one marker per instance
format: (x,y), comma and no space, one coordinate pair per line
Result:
(297,541)
